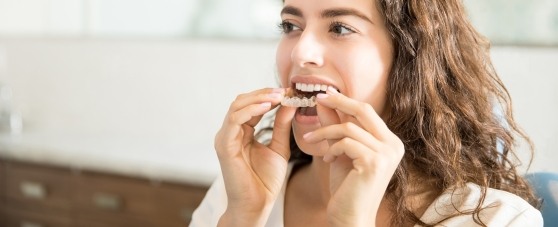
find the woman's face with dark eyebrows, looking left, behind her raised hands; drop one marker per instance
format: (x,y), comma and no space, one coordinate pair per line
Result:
(339,43)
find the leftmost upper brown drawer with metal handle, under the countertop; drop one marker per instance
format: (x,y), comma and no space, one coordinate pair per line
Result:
(37,186)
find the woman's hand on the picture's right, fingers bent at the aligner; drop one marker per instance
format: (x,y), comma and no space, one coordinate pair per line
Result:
(363,153)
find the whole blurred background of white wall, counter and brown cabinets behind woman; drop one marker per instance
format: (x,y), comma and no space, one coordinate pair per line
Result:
(104,104)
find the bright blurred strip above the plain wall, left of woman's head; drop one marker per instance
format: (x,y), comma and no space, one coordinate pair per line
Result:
(140,18)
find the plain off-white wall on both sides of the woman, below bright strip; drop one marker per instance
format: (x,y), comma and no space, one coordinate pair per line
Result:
(181,89)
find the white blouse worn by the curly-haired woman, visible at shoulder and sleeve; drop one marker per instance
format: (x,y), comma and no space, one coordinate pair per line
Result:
(503,208)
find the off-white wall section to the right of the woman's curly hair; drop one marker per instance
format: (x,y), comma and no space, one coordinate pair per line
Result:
(531,76)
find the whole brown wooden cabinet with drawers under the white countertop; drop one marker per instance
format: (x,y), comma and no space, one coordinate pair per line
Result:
(37,195)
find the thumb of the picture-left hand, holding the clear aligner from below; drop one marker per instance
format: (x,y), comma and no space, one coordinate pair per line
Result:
(280,139)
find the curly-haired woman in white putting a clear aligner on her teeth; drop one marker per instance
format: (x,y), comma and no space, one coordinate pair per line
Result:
(387,118)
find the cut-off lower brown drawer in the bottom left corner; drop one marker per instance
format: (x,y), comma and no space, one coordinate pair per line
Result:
(10,217)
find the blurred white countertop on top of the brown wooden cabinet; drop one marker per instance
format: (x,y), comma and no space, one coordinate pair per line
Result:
(166,159)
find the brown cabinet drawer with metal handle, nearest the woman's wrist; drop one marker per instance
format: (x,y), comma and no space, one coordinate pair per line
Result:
(115,199)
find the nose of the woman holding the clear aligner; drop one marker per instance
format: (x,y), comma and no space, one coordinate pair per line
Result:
(308,52)
